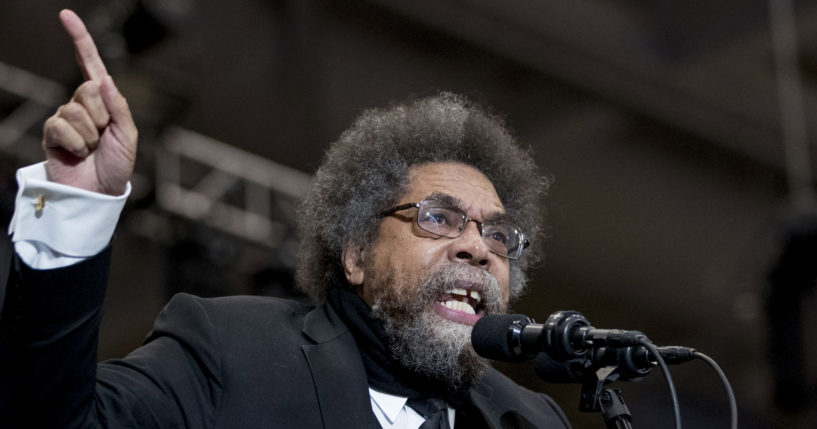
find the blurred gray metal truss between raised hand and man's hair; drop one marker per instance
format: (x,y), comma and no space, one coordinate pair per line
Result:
(227,188)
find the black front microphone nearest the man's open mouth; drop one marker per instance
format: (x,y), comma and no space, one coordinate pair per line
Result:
(565,336)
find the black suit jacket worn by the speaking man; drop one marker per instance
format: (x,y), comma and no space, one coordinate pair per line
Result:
(234,362)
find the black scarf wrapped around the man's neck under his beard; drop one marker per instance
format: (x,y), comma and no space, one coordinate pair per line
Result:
(383,372)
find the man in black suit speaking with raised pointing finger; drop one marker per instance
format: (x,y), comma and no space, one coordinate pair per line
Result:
(419,223)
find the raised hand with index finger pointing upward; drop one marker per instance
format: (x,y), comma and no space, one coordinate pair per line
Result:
(90,143)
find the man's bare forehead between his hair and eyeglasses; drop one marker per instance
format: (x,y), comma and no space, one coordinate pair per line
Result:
(458,180)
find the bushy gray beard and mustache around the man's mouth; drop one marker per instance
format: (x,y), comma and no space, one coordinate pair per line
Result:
(419,339)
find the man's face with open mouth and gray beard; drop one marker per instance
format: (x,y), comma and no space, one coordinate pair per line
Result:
(430,290)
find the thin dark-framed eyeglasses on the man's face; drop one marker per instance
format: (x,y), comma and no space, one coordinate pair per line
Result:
(444,220)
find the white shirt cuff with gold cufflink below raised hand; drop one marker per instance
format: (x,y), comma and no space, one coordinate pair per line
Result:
(56,225)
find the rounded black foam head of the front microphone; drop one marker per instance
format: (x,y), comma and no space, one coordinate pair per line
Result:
(493,337)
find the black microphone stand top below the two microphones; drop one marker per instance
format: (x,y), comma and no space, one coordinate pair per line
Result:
(596,398)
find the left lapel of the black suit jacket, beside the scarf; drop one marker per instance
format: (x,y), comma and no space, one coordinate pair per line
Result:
(337,371)
